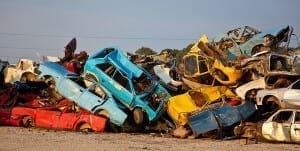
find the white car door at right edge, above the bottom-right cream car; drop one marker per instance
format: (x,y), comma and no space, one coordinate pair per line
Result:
(291,96)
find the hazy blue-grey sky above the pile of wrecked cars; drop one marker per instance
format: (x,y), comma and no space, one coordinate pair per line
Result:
(32,28)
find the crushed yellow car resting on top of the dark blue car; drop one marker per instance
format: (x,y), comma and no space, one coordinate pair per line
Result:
(180,106)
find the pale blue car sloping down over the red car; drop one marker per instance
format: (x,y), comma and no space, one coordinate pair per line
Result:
(93,97)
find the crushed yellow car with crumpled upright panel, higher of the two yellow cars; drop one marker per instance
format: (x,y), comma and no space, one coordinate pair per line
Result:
(207,66)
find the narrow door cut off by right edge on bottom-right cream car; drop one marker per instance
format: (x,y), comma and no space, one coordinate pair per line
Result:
(295,128)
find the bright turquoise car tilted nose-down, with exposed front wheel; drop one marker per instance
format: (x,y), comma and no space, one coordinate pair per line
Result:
(131,85)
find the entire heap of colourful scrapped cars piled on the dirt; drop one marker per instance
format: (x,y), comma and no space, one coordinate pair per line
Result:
(220,86)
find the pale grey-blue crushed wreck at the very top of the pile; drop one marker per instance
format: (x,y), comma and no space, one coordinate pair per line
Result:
(248,41)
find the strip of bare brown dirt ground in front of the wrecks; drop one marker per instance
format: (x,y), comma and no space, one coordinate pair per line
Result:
(34,139)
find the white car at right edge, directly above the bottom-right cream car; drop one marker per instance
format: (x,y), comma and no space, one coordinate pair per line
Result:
(288,97)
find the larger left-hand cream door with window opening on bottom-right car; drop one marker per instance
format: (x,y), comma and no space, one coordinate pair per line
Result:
(277,128)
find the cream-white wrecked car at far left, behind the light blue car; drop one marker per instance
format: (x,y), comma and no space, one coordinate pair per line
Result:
(24,70)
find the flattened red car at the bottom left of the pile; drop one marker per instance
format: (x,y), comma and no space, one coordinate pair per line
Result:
(37,113)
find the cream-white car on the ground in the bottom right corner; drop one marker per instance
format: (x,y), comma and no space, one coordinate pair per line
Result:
(283,126)
